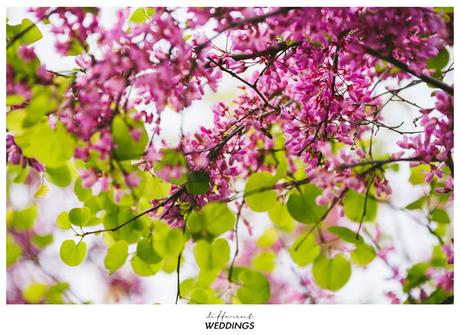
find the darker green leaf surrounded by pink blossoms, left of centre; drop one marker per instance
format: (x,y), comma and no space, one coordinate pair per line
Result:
(126,147)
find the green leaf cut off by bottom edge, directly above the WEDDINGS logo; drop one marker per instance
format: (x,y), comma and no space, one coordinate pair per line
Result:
(255,287)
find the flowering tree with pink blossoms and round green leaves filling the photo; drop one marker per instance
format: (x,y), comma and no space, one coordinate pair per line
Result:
(300,142)
